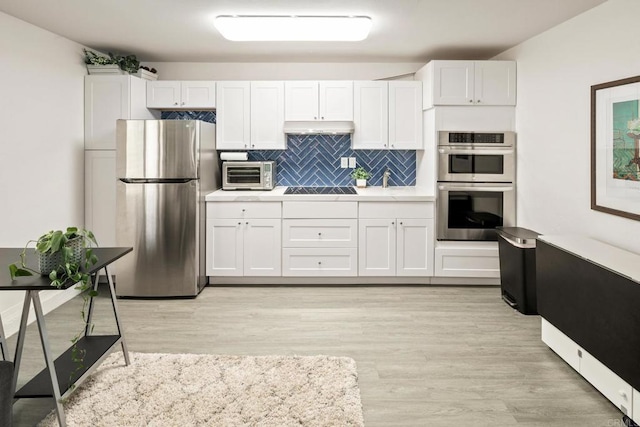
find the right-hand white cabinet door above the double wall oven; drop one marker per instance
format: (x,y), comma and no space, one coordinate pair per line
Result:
(495,83)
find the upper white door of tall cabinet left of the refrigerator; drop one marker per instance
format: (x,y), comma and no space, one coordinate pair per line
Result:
(106,99)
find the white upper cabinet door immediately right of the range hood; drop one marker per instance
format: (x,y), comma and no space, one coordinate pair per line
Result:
(370,115)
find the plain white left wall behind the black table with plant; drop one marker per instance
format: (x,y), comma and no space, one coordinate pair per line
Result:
(42,140)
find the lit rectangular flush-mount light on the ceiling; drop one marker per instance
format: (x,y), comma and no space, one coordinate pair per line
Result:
(293,28)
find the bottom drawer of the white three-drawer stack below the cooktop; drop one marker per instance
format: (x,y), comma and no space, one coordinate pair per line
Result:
(319,262)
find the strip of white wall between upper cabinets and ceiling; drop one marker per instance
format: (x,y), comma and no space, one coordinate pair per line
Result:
(283,71)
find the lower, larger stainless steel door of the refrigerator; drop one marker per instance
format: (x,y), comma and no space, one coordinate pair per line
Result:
(161,222)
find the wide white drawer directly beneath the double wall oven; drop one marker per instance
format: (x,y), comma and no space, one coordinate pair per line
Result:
(458,261)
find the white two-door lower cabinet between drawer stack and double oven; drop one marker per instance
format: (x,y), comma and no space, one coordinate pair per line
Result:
(395,239)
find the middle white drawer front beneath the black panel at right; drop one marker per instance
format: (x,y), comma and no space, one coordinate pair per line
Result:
(614,388)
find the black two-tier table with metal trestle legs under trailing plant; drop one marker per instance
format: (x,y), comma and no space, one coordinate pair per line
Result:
(54,381)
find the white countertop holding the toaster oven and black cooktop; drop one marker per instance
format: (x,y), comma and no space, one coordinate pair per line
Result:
(369,194)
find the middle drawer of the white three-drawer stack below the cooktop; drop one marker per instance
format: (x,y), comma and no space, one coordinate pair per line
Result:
(323,233)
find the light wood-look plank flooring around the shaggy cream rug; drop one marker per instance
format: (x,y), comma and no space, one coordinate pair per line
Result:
(426,355)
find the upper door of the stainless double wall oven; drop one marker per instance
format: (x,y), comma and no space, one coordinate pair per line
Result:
(479,164)
